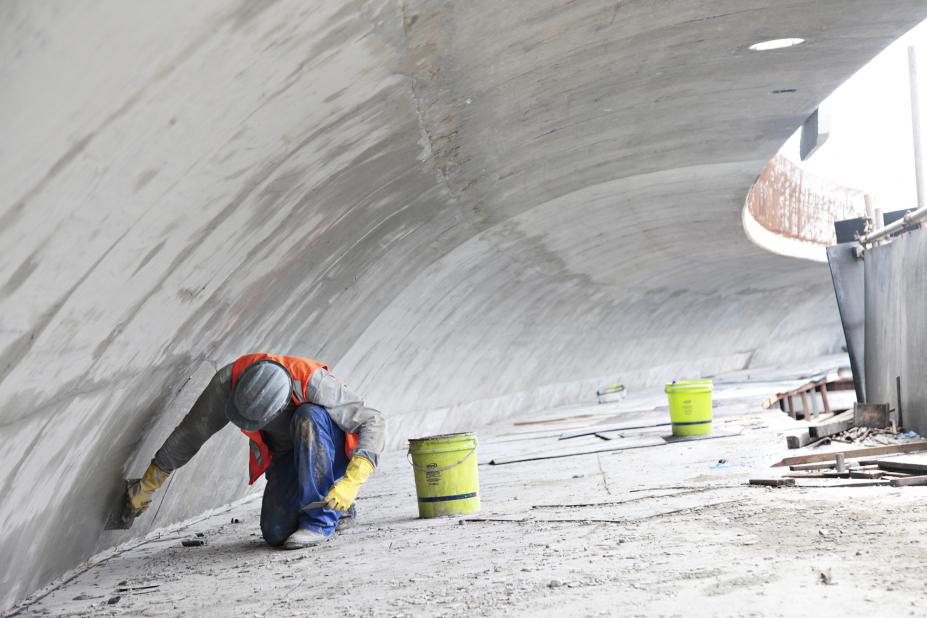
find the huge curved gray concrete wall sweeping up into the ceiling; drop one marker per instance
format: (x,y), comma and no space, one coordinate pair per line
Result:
(466,208)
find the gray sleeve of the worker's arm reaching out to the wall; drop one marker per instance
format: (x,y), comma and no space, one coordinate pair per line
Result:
(206,417)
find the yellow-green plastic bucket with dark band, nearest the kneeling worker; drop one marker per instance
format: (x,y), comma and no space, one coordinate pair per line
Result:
(446,479)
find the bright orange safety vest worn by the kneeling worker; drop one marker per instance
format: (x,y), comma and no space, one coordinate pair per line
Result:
(300,370)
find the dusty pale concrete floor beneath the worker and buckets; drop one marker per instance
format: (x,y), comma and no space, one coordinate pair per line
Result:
(674,536)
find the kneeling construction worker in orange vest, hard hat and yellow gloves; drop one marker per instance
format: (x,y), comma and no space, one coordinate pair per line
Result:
(315,439)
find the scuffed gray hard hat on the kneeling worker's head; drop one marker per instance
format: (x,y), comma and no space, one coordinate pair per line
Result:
(261,393)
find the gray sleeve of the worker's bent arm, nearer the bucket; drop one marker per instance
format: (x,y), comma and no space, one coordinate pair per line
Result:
(350,413)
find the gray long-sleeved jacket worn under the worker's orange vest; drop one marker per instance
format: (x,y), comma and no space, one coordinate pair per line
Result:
(207,416)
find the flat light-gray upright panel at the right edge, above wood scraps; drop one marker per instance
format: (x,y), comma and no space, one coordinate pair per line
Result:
(896,329)
